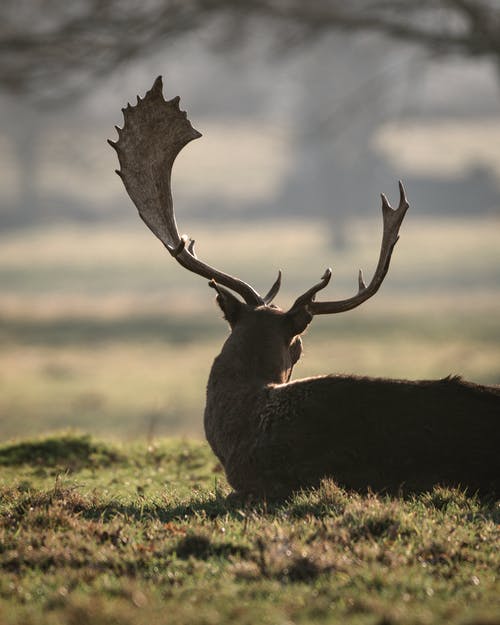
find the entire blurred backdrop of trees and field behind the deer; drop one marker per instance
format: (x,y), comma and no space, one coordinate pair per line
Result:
(308,111)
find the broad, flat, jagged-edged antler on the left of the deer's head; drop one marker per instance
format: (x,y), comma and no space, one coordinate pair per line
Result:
(154,132)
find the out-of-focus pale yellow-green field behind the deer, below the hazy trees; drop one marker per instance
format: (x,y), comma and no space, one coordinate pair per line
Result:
(101,331)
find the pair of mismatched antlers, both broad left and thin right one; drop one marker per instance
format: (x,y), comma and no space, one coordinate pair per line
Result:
(154,132)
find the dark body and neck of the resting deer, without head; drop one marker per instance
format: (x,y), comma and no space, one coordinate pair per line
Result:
(274,436)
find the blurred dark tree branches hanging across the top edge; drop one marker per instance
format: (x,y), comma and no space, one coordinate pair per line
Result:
(51,48)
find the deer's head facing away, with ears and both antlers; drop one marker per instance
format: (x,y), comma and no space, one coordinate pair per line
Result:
(154,132)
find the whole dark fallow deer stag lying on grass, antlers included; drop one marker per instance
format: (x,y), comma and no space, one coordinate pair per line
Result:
(274,436)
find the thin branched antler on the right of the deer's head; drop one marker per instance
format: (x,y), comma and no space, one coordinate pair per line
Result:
(392,221)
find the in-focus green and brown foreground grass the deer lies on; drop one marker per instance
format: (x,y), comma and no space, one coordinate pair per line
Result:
(134,534)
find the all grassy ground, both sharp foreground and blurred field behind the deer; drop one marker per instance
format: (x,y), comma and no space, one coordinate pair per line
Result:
(100,331)
